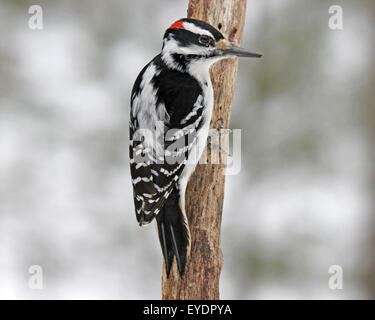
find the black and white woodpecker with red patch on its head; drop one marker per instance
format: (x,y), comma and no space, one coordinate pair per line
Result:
(171,109)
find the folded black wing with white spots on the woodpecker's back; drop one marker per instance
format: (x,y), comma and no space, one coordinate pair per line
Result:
(158,155)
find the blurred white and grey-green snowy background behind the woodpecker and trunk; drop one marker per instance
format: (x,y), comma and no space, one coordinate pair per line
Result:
(303,200)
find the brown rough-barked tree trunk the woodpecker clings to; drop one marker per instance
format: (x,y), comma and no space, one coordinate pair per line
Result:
(205,192)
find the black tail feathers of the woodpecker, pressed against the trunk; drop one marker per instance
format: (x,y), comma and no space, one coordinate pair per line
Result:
(173,233)
